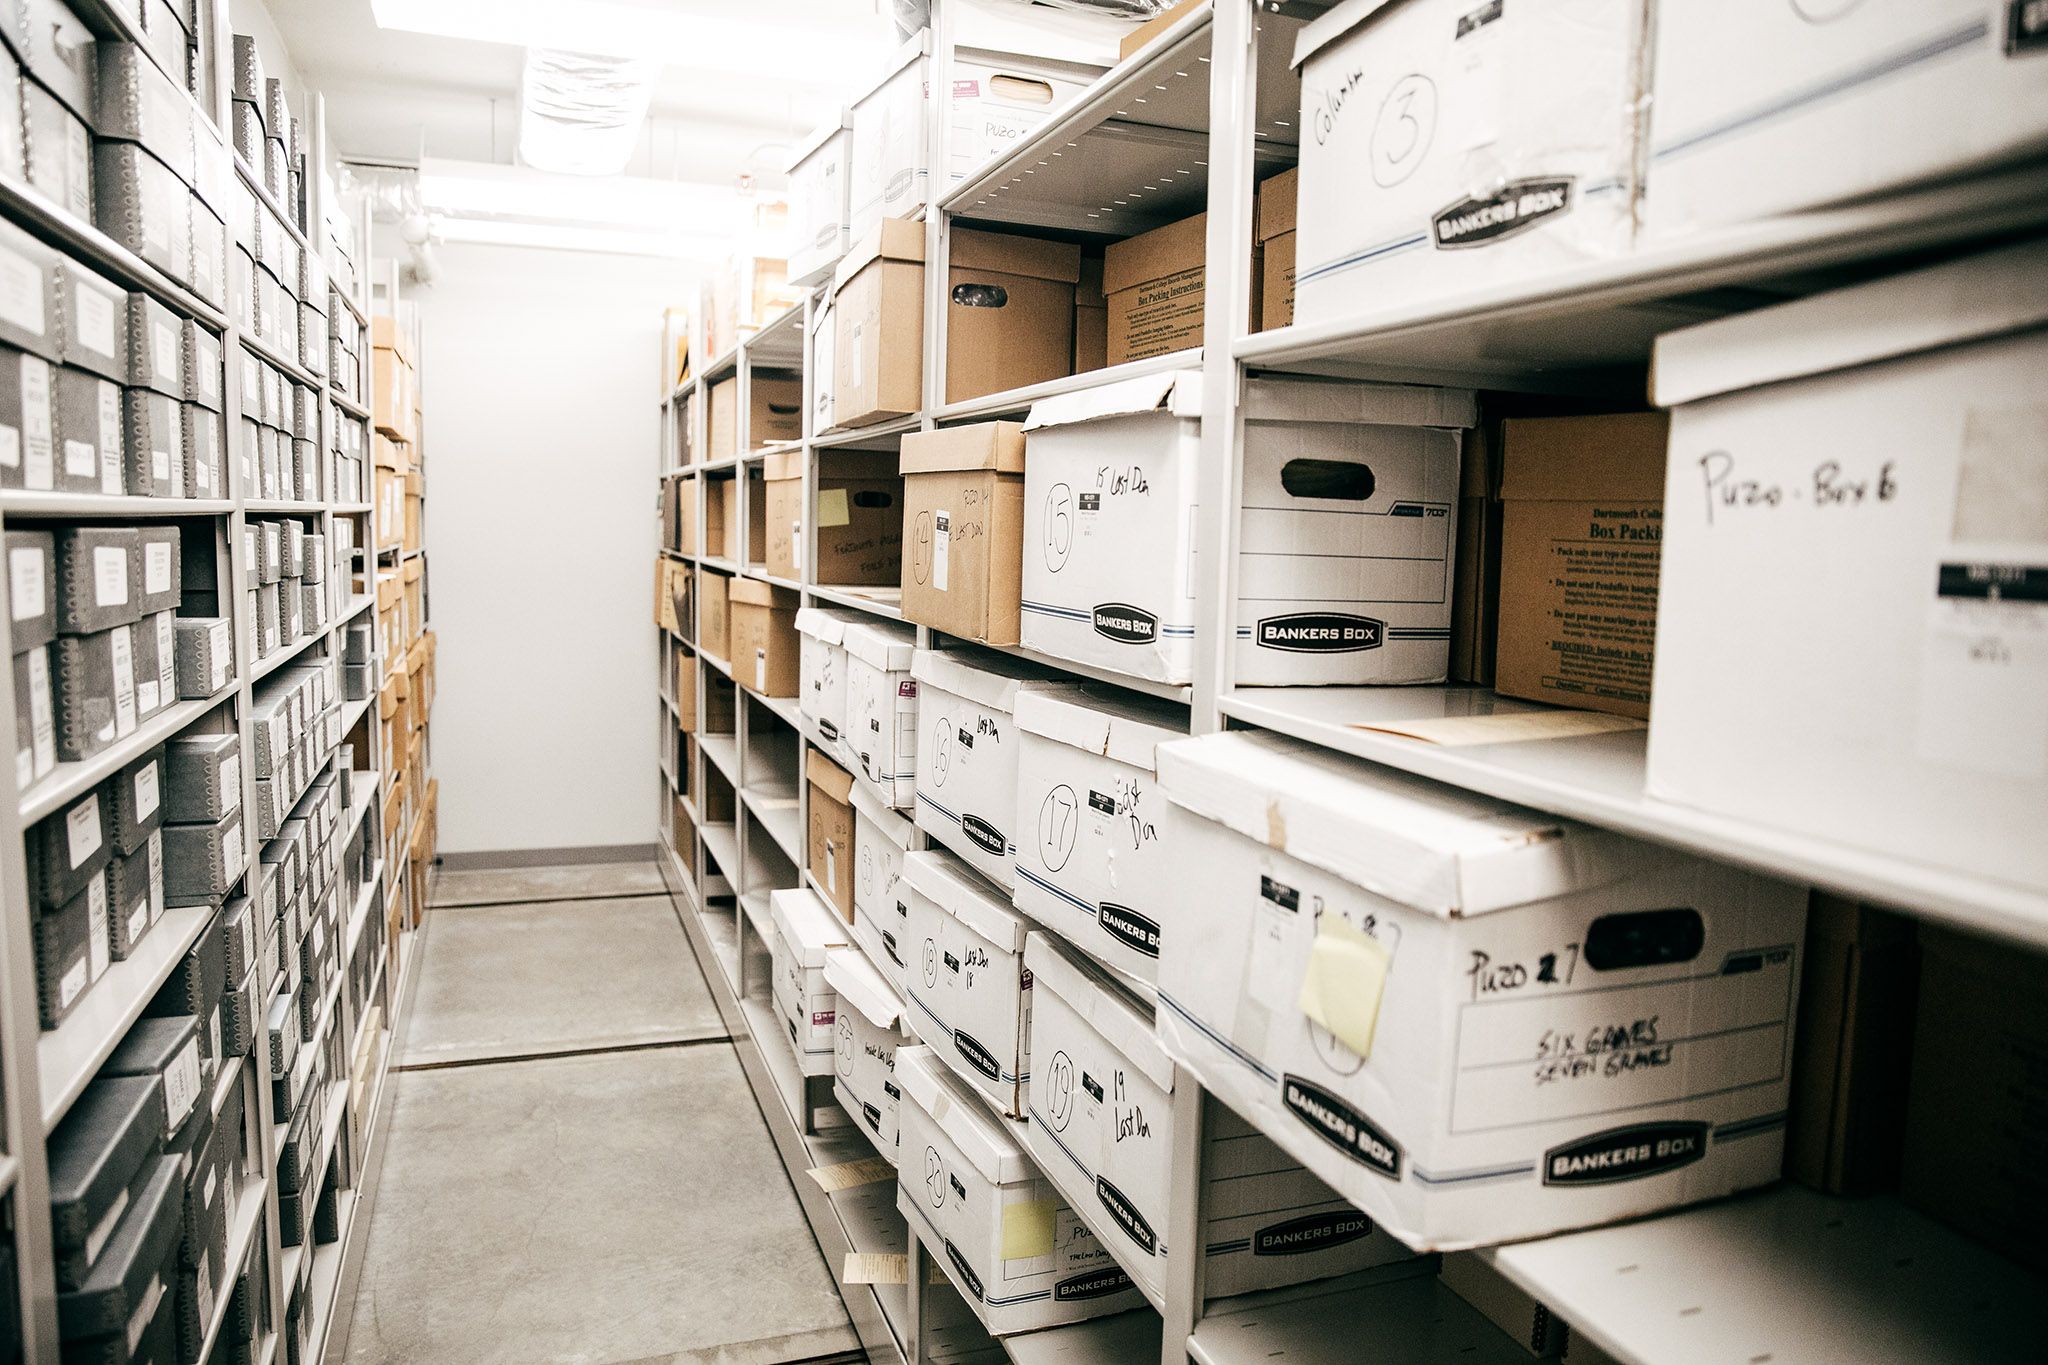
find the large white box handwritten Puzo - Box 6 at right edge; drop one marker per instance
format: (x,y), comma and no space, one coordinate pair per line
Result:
(1850,625)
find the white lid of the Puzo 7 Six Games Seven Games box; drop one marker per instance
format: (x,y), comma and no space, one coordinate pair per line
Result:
(1435,848)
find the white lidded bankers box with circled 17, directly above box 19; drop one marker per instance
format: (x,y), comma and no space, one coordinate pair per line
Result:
(1093,858)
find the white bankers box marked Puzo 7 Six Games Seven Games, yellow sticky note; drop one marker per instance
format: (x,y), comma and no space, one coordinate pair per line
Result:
(1453,985)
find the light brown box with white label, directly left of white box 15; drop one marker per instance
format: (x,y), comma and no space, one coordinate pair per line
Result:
(964,515)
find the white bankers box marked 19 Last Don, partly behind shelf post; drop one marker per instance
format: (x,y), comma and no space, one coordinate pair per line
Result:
(1103,1127)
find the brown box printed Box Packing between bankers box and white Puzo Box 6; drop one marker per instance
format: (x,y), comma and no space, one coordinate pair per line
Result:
(1582,525)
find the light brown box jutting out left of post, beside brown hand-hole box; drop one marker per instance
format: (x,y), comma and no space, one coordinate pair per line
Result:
(878,333)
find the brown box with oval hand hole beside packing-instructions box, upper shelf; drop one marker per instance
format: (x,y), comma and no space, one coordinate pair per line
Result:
(1009,312)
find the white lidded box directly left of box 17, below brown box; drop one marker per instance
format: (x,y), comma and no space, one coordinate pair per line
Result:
(968,754)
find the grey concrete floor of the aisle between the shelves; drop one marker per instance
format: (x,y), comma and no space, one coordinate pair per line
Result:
(601,1206)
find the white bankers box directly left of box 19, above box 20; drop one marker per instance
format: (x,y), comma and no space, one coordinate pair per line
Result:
(966,977)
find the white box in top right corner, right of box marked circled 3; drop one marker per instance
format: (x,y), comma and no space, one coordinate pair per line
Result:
(1863,99)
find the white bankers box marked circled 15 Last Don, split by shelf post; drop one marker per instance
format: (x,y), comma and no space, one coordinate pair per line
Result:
(1351,496)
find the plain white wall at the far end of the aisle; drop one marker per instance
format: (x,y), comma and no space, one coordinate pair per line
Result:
(542,425)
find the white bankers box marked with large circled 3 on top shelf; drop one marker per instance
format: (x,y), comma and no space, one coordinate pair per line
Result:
(1447,157)
